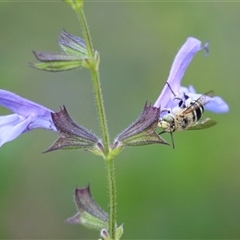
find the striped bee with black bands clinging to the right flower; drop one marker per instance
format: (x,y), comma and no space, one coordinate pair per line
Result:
(187,115)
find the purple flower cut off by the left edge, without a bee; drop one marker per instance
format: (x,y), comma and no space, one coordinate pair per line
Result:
(27,116)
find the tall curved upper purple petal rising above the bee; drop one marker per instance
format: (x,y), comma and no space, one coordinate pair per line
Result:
(179,66)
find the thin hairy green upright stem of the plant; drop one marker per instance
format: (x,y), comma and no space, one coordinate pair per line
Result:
(103,124)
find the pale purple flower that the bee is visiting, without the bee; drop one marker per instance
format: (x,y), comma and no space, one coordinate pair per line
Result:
(184,56)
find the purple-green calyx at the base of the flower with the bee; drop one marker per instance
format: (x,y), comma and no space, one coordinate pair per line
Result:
(142,131)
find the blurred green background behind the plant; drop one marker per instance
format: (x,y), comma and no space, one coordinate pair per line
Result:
(190,192)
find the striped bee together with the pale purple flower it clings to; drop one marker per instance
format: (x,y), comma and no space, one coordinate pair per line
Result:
(181,107)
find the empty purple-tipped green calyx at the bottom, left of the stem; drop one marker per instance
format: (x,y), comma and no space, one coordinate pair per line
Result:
(89,213)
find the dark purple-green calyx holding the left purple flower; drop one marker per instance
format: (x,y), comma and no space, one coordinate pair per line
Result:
(73,136)
